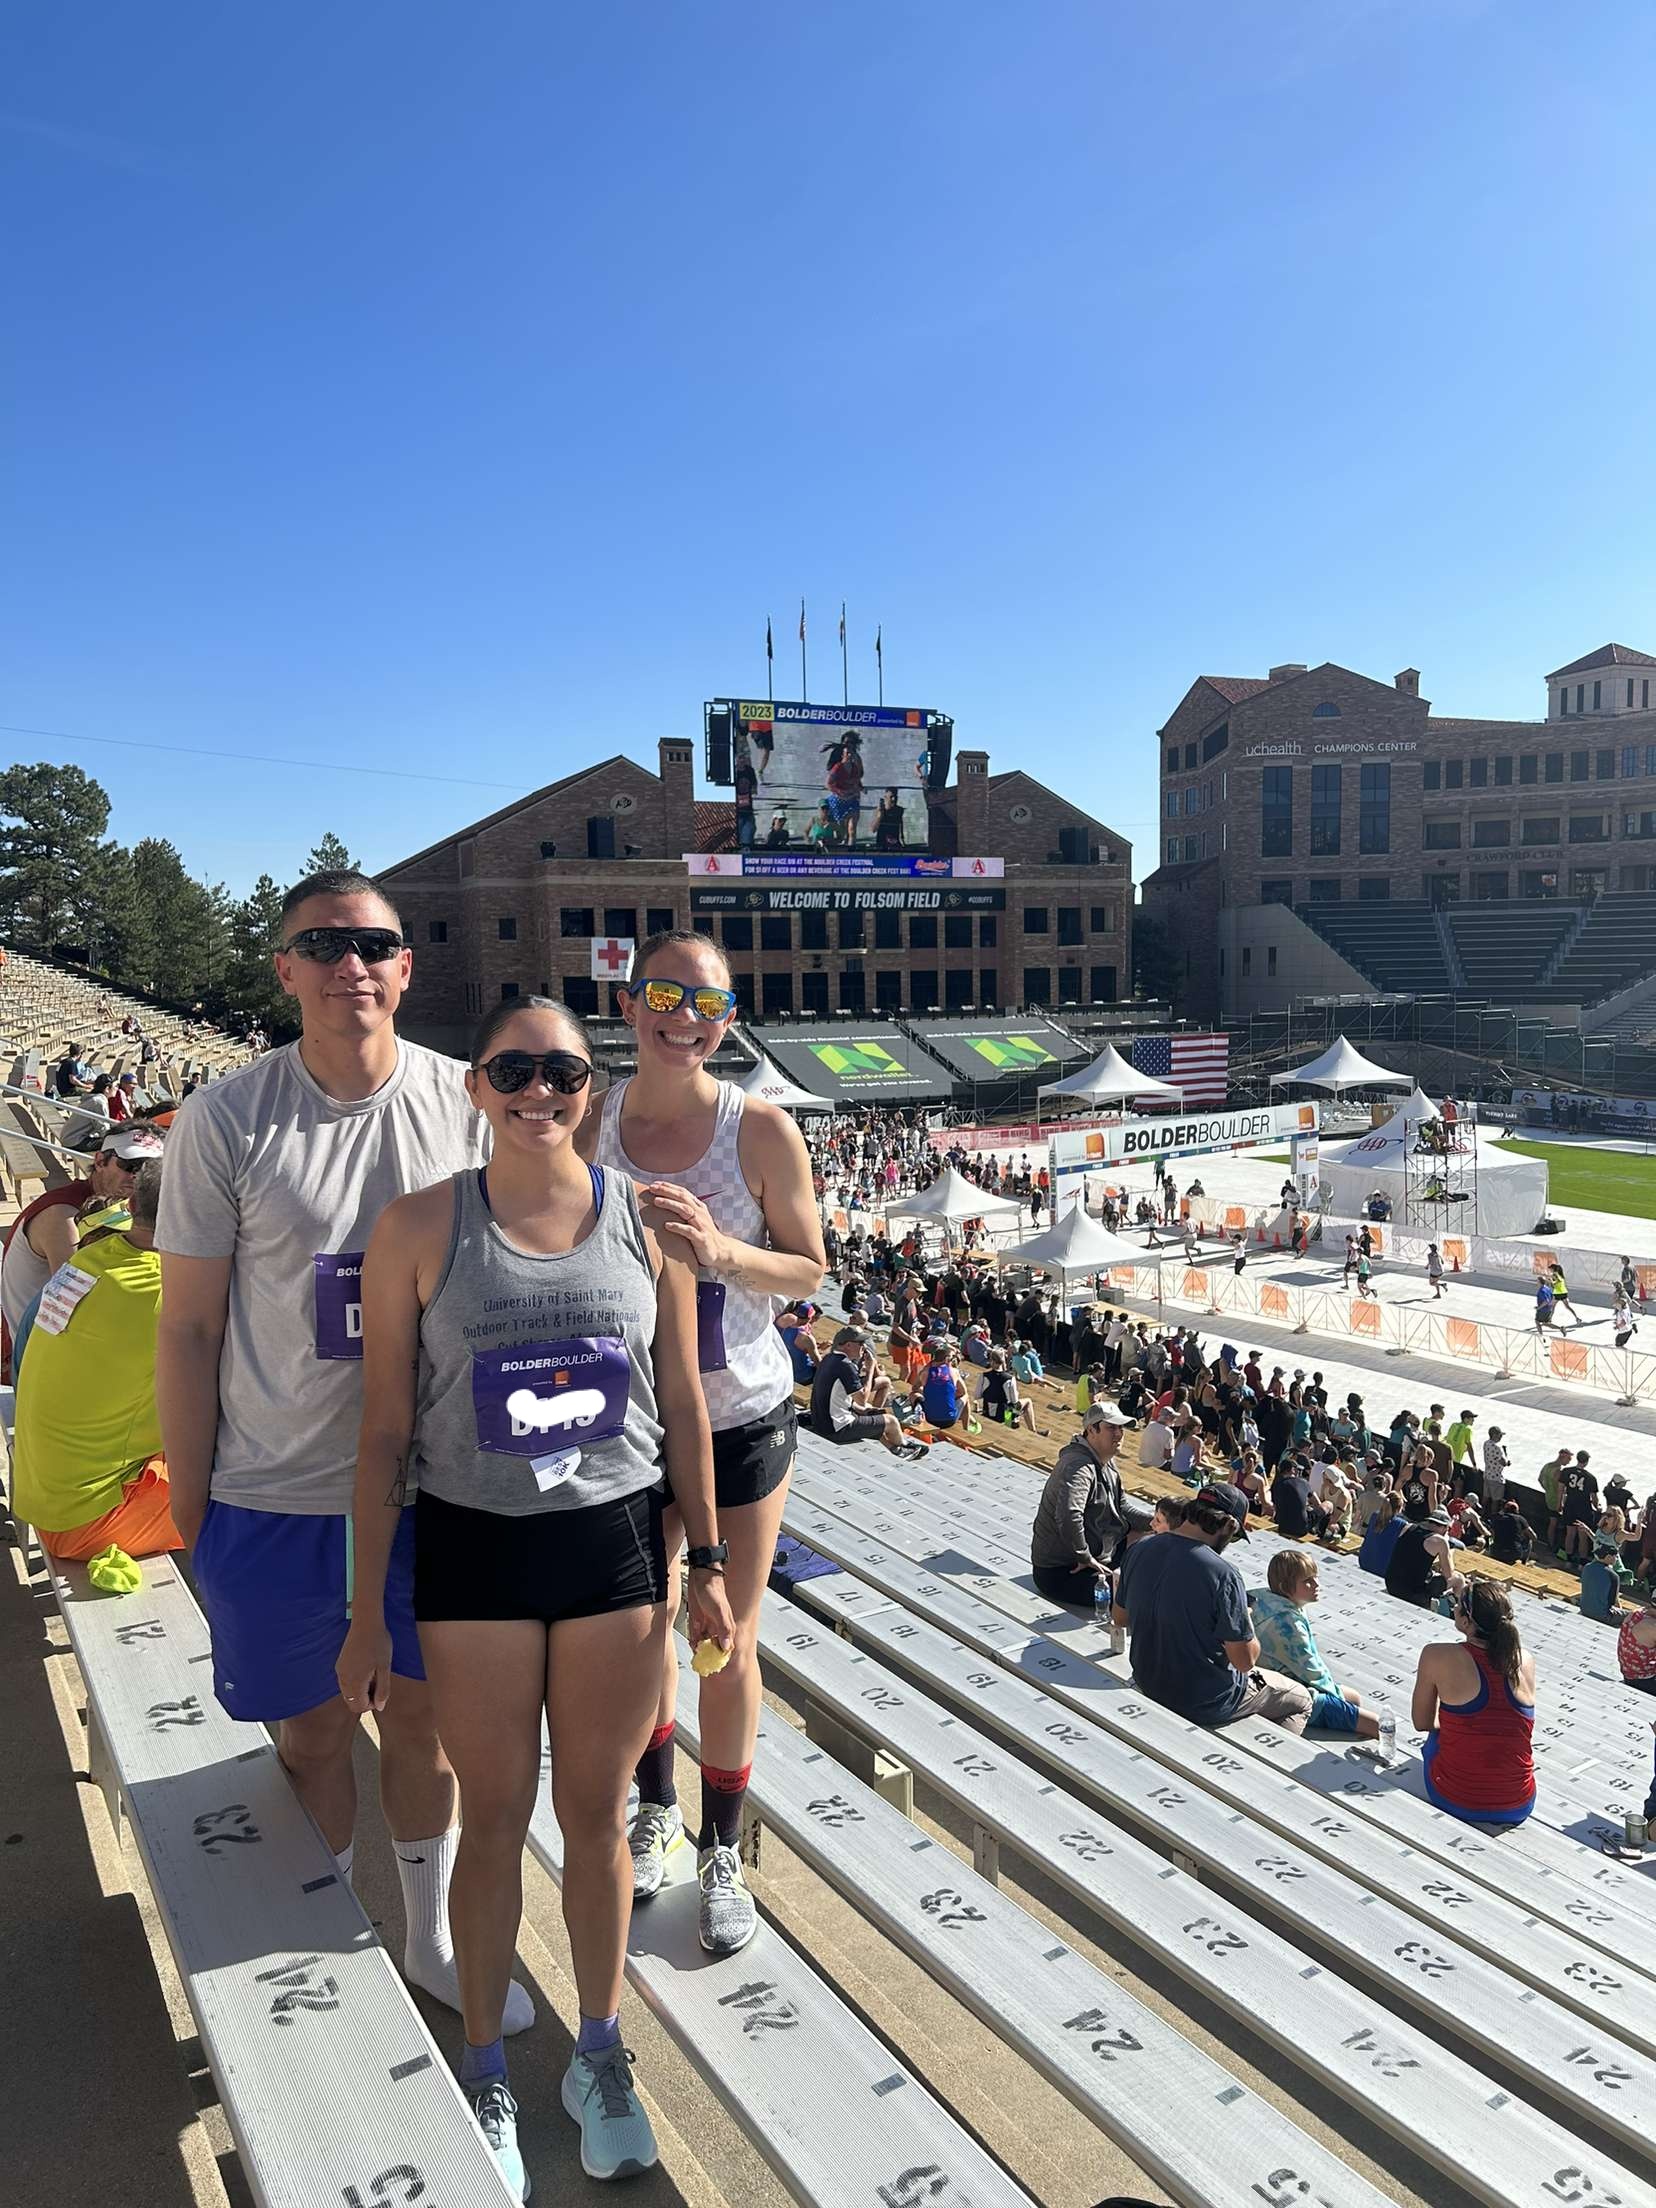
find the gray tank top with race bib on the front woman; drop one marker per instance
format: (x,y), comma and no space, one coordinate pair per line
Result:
(535,1372)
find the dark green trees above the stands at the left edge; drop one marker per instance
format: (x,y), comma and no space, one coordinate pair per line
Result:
(136,915)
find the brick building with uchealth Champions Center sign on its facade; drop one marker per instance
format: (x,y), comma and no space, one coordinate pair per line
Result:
(1326,834)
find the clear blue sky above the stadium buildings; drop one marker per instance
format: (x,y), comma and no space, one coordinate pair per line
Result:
(458,390)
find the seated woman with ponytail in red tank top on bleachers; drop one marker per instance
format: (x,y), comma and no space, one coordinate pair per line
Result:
(1476,1703)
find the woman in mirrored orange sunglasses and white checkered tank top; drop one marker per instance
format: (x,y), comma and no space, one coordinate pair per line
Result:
(730,1176)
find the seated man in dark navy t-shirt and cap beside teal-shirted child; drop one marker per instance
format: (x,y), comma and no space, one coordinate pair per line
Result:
(1191,1637)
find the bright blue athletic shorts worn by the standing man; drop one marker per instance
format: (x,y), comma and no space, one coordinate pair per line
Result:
(277,1597)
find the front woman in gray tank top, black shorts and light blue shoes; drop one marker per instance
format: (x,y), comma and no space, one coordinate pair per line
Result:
(529,1366)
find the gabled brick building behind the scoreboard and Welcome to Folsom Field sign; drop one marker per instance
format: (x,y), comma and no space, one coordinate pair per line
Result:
(511,906)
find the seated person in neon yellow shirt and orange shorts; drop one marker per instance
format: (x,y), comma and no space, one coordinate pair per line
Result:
(89,1469)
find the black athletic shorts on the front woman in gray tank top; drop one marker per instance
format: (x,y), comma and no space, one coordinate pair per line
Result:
(549,1564)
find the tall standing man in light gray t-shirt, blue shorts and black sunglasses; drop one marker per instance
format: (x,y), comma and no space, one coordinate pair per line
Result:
(275,1182)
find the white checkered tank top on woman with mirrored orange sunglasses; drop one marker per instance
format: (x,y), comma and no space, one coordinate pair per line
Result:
(743,1359)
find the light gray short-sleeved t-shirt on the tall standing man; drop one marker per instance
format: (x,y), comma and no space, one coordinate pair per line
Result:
(288,1182)
